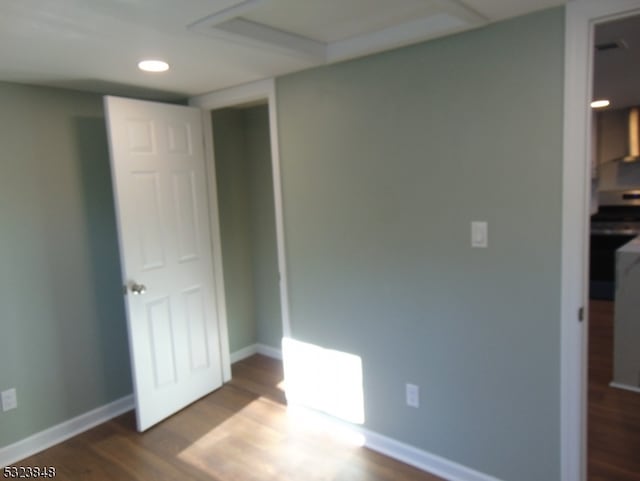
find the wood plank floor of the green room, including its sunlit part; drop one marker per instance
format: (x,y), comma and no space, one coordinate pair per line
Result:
(241,432)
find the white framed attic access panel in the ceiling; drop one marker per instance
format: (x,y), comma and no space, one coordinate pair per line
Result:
(333,30)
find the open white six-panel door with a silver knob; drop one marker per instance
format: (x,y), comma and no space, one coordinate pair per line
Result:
(158,170)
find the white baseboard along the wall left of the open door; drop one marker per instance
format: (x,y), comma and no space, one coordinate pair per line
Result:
(63,431)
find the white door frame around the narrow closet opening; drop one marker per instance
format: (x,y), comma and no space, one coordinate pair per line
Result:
(233,96)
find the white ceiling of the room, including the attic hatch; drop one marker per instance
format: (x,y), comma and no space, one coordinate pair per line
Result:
(211,44)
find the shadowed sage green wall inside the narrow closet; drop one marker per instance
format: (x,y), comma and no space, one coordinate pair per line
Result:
(247,225)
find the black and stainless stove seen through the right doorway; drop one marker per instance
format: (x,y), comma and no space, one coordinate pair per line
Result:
(616,223)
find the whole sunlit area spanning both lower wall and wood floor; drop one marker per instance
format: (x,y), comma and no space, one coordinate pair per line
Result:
(324,391)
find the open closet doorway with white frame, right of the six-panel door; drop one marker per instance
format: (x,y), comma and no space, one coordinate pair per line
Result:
(253,105)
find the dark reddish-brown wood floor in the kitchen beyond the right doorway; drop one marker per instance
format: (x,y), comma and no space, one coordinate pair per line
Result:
(614,414)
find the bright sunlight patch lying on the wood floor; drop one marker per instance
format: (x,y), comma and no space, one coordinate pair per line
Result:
(276,442)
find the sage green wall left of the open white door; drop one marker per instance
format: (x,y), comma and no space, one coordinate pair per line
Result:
(62,322)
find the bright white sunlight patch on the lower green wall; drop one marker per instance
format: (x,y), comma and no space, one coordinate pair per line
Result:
(326,380)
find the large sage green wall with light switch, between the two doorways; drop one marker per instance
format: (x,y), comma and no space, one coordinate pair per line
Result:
(385,162)
